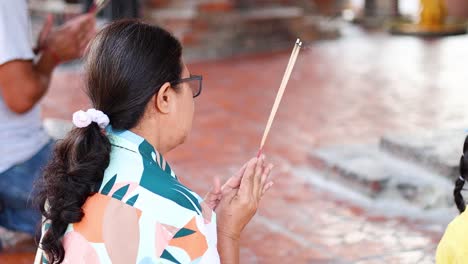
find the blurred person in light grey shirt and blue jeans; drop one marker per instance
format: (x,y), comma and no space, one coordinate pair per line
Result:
(24,79)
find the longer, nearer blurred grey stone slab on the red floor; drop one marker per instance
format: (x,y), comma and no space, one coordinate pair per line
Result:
(379,175)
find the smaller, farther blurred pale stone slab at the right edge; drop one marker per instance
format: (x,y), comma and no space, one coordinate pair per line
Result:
(438,151)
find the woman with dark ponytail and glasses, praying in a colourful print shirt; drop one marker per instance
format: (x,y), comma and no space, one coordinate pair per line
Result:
(108,195)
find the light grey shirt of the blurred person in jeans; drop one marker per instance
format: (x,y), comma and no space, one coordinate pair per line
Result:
(21,135)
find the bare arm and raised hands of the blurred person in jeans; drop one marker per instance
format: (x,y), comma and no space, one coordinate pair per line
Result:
(24,82)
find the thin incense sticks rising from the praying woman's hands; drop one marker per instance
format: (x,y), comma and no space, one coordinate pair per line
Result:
(287,74)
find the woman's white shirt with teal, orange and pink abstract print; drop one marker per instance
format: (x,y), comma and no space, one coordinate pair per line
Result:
(142,213)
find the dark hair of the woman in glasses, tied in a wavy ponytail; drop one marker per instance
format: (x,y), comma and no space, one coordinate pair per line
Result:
(126,64)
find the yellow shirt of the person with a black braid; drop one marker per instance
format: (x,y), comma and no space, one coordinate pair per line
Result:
(453,247)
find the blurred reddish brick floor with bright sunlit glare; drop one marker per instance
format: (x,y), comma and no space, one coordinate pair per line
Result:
(346,91)
